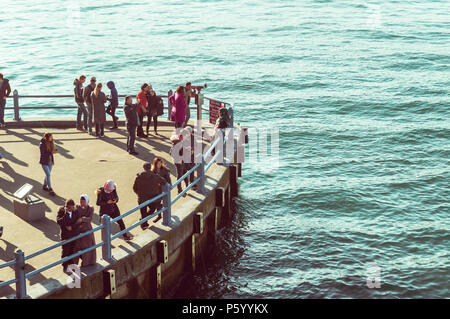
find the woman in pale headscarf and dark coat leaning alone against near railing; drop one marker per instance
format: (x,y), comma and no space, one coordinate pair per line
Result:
(107,199)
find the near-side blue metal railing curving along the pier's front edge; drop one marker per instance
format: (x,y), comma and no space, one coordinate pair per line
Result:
(201,167)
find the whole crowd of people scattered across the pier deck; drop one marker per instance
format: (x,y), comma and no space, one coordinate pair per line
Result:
(75,218)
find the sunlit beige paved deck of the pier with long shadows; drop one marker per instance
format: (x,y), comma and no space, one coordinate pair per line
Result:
(82,164)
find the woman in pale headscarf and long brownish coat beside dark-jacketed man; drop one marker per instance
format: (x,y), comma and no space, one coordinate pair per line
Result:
(86,212)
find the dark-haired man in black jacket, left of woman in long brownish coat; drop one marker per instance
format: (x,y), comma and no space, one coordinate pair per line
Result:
(69,220)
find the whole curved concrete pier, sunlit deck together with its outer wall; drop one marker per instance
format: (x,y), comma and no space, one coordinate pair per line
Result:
(150,266)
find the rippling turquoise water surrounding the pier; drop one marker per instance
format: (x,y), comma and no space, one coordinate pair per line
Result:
(358,91)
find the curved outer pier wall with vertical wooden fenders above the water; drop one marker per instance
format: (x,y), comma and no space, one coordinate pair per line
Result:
(142,272)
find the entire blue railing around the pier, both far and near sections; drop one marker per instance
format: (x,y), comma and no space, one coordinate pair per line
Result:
(21,276)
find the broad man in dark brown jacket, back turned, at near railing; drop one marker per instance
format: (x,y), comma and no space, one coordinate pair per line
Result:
(147,185)
